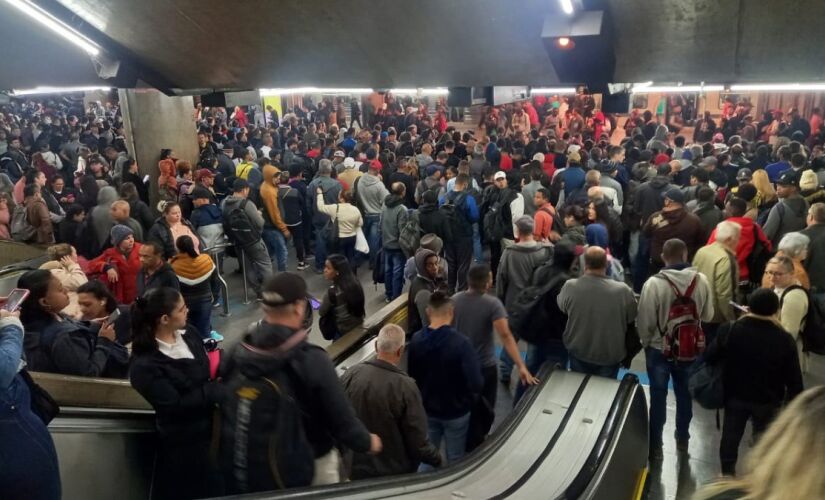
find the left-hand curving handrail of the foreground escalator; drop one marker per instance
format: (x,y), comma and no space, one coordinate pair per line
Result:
(463,467)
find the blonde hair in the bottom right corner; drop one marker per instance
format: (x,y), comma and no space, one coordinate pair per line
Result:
(788,459)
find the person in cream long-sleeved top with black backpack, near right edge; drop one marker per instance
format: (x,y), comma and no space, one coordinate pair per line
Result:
(793,300)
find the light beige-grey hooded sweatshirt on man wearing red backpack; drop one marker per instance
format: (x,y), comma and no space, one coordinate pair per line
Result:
(657,296)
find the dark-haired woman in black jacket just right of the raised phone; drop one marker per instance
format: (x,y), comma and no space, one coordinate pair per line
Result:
(57,343)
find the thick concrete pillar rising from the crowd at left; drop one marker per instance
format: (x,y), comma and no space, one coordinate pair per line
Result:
(154,121)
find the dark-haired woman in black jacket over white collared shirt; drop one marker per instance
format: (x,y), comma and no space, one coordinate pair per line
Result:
(170,368)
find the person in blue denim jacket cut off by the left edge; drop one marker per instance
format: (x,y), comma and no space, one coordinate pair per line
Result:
(30,470)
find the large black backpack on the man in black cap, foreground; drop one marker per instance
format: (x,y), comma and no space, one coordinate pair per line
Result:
(263,445)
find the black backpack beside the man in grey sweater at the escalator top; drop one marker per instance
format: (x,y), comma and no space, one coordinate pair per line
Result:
(530,315)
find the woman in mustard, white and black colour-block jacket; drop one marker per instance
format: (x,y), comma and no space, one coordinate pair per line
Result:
(194,272)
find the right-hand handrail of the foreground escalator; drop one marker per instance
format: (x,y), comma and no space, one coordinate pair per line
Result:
(621,402)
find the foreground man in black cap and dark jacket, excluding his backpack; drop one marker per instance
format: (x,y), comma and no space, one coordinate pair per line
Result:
(328,417)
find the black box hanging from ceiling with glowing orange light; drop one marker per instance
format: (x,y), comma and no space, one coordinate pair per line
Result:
(581,48)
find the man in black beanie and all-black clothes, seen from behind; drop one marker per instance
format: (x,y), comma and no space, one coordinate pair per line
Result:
(761,372)
